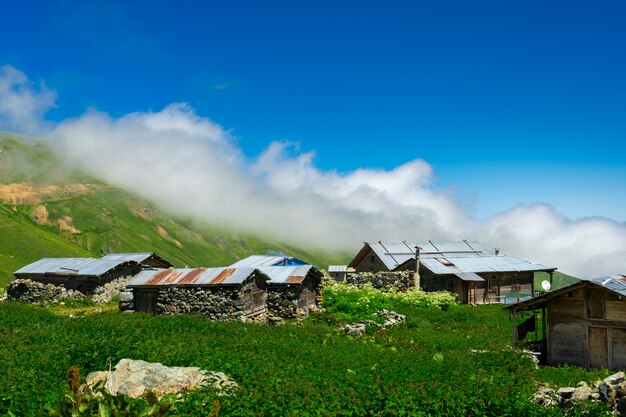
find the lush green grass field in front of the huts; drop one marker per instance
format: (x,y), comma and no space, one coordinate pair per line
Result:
(450,361)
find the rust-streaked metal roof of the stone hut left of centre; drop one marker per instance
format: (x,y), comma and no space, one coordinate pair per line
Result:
(191,276)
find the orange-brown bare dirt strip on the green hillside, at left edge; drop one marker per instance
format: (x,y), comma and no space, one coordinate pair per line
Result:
(24,193)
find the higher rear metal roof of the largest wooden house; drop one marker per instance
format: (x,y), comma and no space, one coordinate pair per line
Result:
(394,254)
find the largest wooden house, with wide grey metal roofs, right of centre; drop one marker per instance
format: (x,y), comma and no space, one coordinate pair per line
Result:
(465,268)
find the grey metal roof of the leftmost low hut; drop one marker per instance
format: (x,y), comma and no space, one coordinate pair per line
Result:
(70,266)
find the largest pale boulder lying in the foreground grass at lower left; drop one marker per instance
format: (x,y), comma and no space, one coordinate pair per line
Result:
(134,377)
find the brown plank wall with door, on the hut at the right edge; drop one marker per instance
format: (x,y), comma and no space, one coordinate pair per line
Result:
(587,327)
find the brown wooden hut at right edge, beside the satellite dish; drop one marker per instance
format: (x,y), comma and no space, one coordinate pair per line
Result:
(583,324)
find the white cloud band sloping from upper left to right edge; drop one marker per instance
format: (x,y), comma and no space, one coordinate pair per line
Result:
(192,166)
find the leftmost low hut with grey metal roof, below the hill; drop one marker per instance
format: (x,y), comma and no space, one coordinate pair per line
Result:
(82,274)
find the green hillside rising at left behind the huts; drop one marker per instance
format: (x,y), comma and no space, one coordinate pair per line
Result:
(49,210)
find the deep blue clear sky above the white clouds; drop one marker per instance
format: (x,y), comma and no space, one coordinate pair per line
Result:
(510,102)
